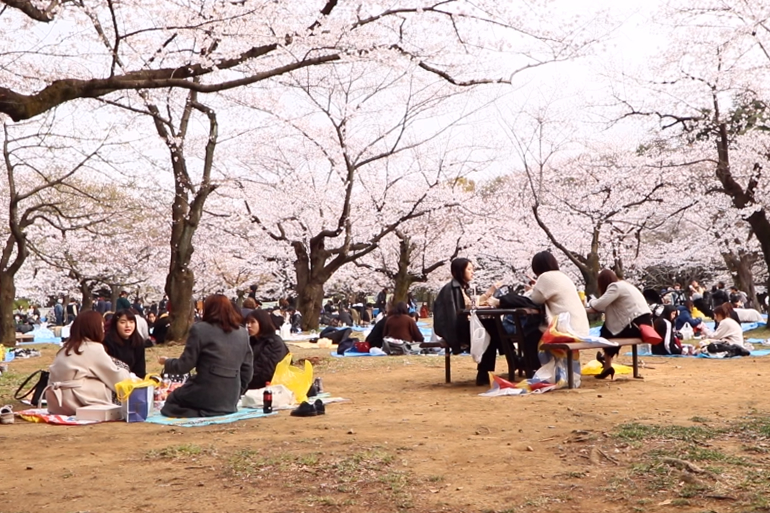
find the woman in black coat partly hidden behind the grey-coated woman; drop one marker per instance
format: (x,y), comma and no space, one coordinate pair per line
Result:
(267,346)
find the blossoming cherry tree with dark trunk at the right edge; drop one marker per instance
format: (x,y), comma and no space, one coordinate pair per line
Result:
(709,102)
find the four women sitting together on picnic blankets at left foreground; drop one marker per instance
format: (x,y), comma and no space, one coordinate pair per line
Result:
(230,353)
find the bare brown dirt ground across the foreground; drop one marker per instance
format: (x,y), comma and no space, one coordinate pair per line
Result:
(406,442)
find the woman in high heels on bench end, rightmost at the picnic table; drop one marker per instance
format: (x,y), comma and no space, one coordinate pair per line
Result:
(625,308)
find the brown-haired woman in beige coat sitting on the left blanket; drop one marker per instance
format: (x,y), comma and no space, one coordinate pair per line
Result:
(82,373)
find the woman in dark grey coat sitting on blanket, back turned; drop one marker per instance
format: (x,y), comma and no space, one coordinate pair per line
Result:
(218,349)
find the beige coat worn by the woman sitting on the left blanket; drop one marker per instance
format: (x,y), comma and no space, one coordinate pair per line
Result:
(82,379)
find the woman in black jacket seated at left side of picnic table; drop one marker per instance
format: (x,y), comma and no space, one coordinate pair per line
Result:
(453,326)
